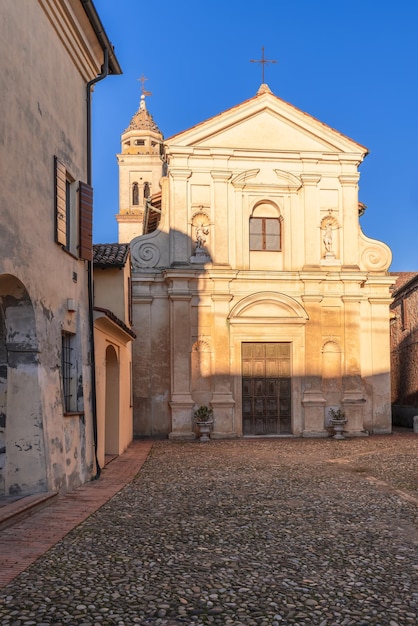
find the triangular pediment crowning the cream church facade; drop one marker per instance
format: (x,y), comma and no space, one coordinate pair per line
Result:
(266,122)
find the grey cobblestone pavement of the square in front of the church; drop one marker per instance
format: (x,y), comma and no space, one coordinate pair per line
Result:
(239,533)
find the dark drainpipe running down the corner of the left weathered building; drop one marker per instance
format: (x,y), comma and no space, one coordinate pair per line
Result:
(101,76)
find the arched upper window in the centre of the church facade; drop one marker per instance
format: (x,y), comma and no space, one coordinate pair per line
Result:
(265,228)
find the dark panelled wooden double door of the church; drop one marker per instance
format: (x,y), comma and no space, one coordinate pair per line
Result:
(266,388)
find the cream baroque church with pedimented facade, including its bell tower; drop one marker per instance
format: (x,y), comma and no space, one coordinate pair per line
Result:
(254,289)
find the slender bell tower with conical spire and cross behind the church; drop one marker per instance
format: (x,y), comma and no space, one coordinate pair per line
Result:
(140,170)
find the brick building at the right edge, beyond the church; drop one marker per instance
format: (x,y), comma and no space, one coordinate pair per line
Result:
(404,349)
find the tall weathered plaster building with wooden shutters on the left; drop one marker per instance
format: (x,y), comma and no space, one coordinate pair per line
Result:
(52,52)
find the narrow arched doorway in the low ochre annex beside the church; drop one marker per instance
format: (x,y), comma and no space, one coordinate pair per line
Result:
(112,402)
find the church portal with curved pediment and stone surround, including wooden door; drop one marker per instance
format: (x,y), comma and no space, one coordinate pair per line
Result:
(267,357)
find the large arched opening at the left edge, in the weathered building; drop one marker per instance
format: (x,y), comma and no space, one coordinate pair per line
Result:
(22,450)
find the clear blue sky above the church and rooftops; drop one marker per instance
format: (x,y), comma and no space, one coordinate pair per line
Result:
(352,65)
